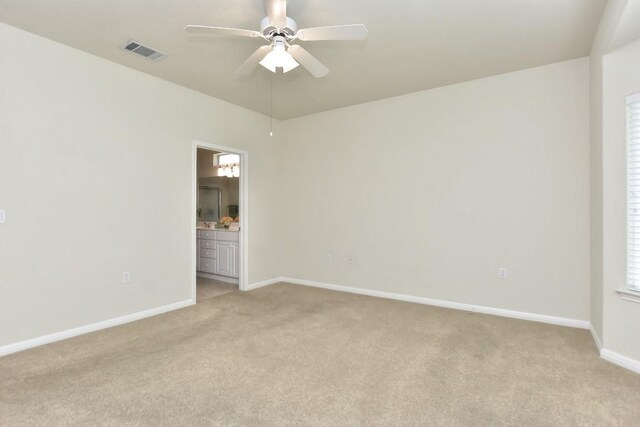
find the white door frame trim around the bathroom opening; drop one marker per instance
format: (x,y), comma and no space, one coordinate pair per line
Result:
(243,211)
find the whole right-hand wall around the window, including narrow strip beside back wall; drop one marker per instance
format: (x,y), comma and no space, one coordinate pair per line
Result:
(613,76)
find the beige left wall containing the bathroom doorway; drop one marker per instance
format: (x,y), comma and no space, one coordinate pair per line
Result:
(84,146)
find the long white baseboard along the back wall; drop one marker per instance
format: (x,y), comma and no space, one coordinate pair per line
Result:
(543,318)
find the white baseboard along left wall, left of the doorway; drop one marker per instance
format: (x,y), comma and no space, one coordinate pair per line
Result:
(59,336)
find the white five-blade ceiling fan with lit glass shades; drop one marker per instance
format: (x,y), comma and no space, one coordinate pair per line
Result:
(280,31)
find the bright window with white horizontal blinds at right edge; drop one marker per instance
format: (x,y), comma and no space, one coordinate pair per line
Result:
(633,192)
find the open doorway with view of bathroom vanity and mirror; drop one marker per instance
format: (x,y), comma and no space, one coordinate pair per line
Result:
(219,205)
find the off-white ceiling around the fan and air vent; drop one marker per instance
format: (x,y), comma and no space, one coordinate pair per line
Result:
(412,45)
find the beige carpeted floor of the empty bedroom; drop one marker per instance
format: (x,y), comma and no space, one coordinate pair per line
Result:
(291,355)
